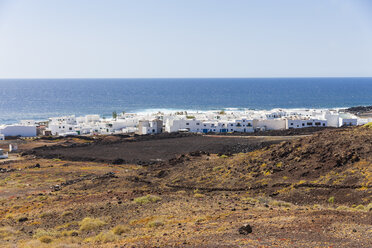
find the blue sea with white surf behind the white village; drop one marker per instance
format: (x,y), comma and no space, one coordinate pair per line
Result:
(43,98)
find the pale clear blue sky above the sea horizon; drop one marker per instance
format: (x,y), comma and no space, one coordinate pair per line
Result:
(185,38)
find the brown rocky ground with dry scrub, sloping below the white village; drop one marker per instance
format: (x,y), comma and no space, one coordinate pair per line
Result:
(308,191)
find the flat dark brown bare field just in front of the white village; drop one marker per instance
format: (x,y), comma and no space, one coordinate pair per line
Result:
(144,150)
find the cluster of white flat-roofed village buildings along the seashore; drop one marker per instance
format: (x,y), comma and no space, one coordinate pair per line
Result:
(225,121)
